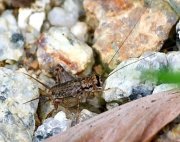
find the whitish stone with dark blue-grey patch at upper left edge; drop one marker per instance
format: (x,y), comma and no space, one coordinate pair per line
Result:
(11,40)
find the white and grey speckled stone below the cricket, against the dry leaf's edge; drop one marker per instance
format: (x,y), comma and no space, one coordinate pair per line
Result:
(52,126)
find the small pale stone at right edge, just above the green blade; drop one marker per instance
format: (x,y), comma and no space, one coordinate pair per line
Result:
(173,61)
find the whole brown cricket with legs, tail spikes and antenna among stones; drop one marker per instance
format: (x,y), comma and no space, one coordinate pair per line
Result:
(69,86)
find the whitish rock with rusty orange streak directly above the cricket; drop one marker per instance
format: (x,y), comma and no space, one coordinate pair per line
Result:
(59,46)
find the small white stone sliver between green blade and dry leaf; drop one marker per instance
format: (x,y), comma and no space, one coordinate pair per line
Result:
(164,87)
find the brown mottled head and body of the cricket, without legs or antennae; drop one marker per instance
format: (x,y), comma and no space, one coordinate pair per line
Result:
(76,87)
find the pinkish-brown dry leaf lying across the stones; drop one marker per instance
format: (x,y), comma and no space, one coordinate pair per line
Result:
(137,121)
